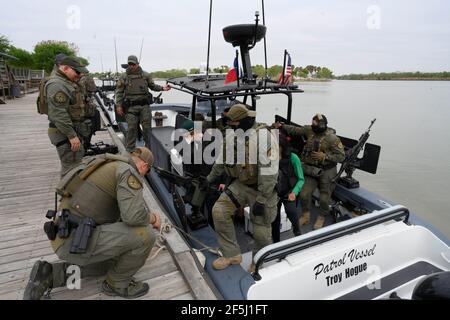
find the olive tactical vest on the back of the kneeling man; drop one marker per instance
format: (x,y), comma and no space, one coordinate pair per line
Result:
(89,190)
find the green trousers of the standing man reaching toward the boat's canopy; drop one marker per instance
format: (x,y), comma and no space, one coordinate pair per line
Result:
(138,115)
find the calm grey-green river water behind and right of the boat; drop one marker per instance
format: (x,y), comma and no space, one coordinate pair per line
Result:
(412,129)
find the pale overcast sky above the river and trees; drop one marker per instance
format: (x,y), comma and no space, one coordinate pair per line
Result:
(347,36)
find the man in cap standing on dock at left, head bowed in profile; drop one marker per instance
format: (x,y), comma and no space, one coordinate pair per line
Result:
(67,112)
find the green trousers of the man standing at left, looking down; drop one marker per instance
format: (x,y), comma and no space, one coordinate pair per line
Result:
(68,158)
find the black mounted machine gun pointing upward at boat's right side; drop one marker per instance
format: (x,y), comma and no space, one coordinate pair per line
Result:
(351,161)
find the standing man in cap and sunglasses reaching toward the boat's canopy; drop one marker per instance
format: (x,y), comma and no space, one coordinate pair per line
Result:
(133,100)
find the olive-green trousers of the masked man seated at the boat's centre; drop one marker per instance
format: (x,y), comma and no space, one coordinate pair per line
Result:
(224,210)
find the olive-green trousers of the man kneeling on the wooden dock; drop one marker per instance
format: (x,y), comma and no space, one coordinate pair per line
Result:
(116,250)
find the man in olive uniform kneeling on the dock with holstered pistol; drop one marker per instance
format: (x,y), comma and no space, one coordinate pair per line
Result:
(108,190)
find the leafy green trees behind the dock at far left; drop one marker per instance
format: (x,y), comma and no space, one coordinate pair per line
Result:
(43,55)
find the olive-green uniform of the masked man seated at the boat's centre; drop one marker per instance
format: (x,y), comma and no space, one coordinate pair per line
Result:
(250,186)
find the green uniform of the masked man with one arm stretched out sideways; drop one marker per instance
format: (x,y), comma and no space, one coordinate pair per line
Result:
(318,174)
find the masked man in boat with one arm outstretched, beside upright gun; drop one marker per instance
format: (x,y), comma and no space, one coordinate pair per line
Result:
(321,153)
